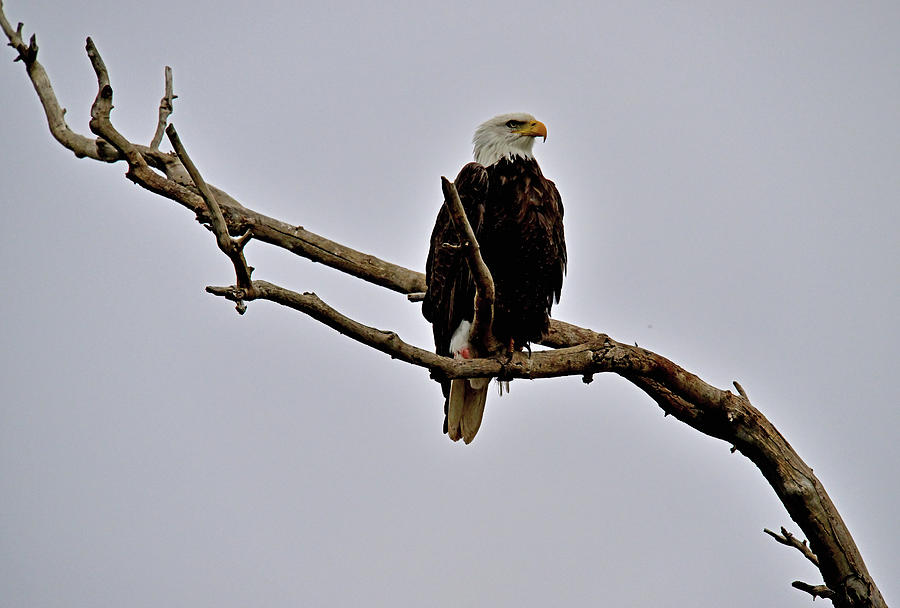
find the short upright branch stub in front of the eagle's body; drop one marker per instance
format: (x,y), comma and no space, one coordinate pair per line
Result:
(481,333)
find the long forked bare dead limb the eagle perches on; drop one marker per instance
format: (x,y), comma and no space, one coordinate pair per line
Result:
(576,350)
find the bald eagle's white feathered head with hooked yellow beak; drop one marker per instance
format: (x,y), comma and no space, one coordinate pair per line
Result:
(507,136)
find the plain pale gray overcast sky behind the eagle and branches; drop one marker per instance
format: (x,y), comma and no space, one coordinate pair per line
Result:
(731,185)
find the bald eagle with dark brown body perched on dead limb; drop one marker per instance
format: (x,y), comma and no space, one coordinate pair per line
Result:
(516,214)
